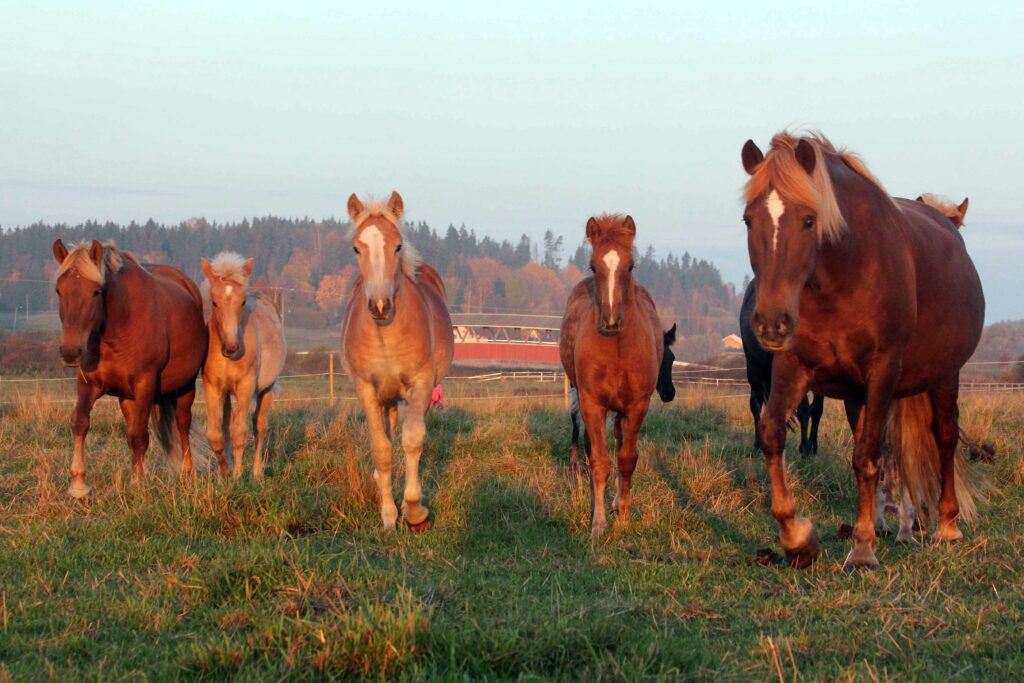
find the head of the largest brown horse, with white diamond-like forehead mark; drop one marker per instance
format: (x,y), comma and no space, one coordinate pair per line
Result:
(791,211)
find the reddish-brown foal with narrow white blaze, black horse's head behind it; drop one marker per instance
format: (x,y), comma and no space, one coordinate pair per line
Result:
(612,347)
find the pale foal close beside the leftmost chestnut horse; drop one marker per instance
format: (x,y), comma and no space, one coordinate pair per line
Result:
(246,355)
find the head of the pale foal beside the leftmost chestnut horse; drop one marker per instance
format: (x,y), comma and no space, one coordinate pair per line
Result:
(228,277)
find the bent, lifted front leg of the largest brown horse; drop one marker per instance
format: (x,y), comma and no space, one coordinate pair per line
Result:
(790,383)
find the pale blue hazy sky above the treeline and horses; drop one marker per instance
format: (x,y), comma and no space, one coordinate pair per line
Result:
(508,118)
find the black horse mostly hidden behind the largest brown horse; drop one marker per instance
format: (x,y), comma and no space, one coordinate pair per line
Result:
(759,377)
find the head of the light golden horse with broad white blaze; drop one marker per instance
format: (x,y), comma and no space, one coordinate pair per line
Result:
(377,242)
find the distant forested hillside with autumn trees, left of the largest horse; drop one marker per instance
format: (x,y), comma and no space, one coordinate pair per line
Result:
(311,265)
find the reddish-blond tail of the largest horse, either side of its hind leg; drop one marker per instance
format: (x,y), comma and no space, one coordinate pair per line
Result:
(918,461)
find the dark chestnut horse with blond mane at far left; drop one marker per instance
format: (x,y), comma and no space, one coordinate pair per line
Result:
(136,333)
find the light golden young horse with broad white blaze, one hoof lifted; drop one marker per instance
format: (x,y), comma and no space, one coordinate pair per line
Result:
(397,346)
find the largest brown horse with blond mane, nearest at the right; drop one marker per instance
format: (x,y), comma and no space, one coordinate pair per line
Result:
(861,297)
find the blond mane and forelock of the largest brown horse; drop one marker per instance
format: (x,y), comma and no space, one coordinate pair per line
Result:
(782,172)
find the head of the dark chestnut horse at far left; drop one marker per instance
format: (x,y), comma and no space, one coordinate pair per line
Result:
(81,283)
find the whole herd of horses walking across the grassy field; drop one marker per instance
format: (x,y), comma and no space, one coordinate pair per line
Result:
(858,296)
